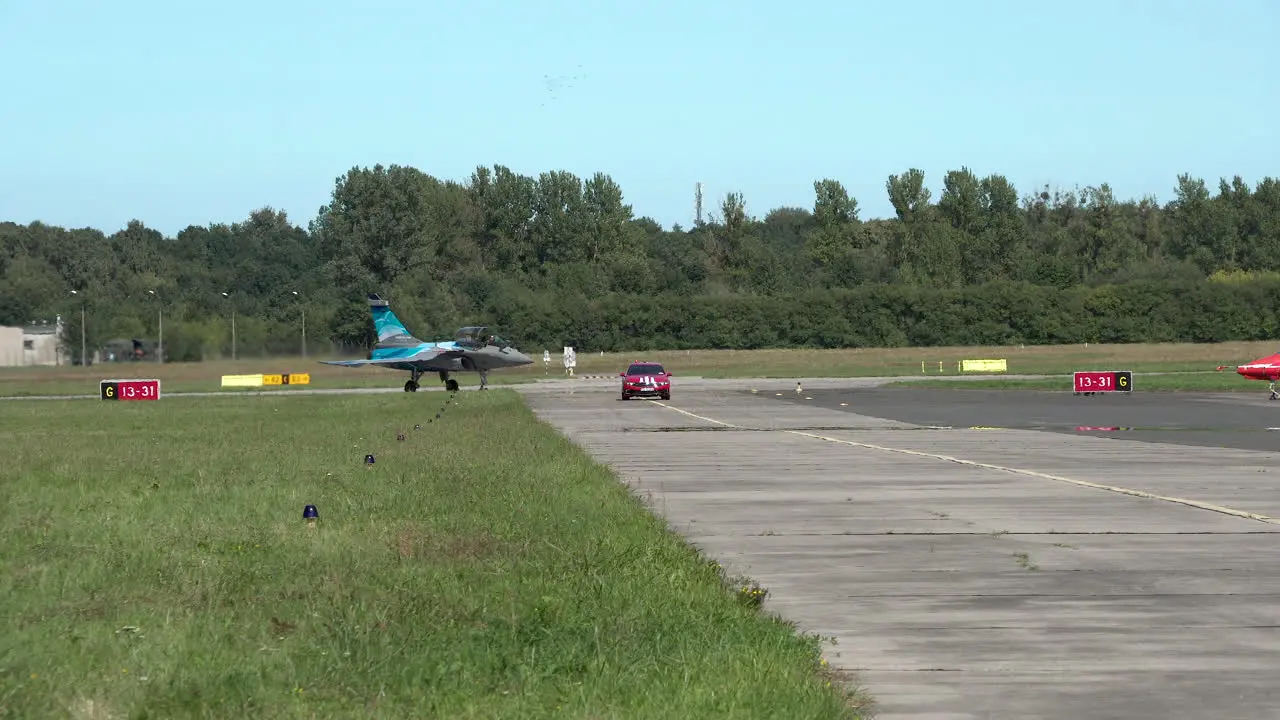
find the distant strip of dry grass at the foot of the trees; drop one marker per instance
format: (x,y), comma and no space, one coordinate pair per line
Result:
(1035,361)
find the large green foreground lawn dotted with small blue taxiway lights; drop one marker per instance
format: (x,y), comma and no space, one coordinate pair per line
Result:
(156,564)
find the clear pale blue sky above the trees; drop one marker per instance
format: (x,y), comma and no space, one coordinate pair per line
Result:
(184,113)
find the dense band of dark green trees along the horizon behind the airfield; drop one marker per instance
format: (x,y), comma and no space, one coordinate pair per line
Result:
(559,259)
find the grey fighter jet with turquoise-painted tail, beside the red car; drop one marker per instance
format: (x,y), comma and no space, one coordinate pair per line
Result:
(473,349)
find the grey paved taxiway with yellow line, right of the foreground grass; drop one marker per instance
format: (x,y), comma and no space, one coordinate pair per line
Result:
(1017,573)
